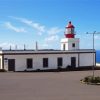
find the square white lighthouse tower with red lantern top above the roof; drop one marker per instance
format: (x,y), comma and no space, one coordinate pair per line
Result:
(69,42)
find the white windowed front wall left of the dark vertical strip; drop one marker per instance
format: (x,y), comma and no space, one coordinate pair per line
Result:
(20,61)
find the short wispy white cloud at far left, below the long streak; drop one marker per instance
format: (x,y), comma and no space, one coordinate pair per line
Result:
(13,28)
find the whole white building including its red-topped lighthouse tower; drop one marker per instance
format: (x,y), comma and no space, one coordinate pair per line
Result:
(30,60)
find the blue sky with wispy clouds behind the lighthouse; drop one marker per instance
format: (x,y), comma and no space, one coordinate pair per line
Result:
(27,21)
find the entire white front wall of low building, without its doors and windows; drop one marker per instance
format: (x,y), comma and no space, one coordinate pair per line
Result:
(85,59)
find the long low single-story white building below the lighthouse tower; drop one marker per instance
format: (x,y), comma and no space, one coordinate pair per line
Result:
(21,60)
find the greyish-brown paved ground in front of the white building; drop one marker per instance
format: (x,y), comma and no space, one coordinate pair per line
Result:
(47,86)
